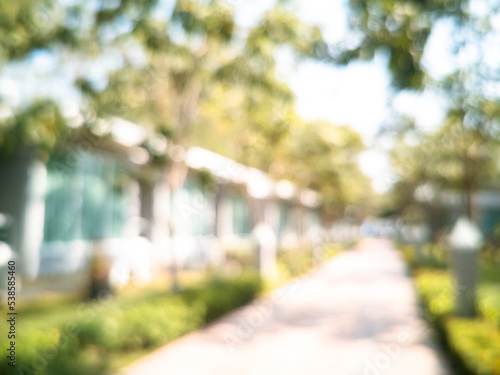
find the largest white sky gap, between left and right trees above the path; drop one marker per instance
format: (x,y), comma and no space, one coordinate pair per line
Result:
(355,96)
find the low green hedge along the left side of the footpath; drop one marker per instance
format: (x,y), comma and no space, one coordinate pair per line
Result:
(85,344)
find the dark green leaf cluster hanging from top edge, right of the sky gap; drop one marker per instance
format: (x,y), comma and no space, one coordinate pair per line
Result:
(399,28)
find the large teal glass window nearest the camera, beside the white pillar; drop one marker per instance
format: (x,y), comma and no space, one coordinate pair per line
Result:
(91,199)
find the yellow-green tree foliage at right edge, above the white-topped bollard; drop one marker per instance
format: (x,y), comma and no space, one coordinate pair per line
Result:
(452,158)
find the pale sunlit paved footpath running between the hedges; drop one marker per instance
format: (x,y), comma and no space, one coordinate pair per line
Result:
(355,315)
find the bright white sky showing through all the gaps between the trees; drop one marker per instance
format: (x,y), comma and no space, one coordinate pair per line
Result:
(356,95)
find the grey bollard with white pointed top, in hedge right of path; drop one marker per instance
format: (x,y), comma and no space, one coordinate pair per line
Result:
(465,241)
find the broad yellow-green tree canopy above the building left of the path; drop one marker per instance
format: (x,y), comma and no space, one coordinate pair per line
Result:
(184,70)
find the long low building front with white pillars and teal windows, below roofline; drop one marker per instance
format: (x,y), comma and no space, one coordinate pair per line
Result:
(75,203)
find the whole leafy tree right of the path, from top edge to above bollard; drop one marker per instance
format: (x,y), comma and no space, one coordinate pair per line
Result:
(460,155)
